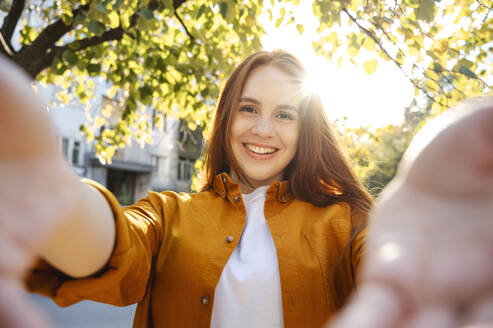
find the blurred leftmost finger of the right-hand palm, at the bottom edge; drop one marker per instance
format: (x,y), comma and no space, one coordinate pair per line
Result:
(374,306)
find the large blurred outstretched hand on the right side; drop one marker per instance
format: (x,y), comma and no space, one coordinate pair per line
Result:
(429,257)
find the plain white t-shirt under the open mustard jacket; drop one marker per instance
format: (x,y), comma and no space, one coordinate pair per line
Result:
(248,293)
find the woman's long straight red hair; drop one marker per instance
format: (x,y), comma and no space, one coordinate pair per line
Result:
(319,173)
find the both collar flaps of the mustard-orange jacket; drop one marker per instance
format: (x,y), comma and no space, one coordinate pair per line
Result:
(226,188)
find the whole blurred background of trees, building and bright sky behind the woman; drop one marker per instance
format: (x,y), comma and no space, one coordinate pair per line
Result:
(131,86)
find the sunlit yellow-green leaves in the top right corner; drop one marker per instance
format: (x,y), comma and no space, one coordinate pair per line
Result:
(444,47)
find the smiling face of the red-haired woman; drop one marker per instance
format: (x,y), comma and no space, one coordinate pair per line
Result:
(265,126)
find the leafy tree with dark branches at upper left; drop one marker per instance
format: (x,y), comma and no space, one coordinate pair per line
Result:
(165,55)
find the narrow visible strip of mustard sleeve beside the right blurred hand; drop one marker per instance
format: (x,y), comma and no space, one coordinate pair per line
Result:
(359,222)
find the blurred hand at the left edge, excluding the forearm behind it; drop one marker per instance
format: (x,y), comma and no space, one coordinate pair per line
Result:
(34,201)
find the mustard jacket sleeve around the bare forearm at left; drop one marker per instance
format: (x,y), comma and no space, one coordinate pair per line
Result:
(124,279)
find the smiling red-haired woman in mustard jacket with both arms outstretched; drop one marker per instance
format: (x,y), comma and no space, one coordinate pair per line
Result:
(274,239)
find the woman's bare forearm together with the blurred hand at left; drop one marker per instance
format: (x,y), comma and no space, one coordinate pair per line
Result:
(43,204)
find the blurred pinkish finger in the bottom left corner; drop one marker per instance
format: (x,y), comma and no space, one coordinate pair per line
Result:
(16,311)
